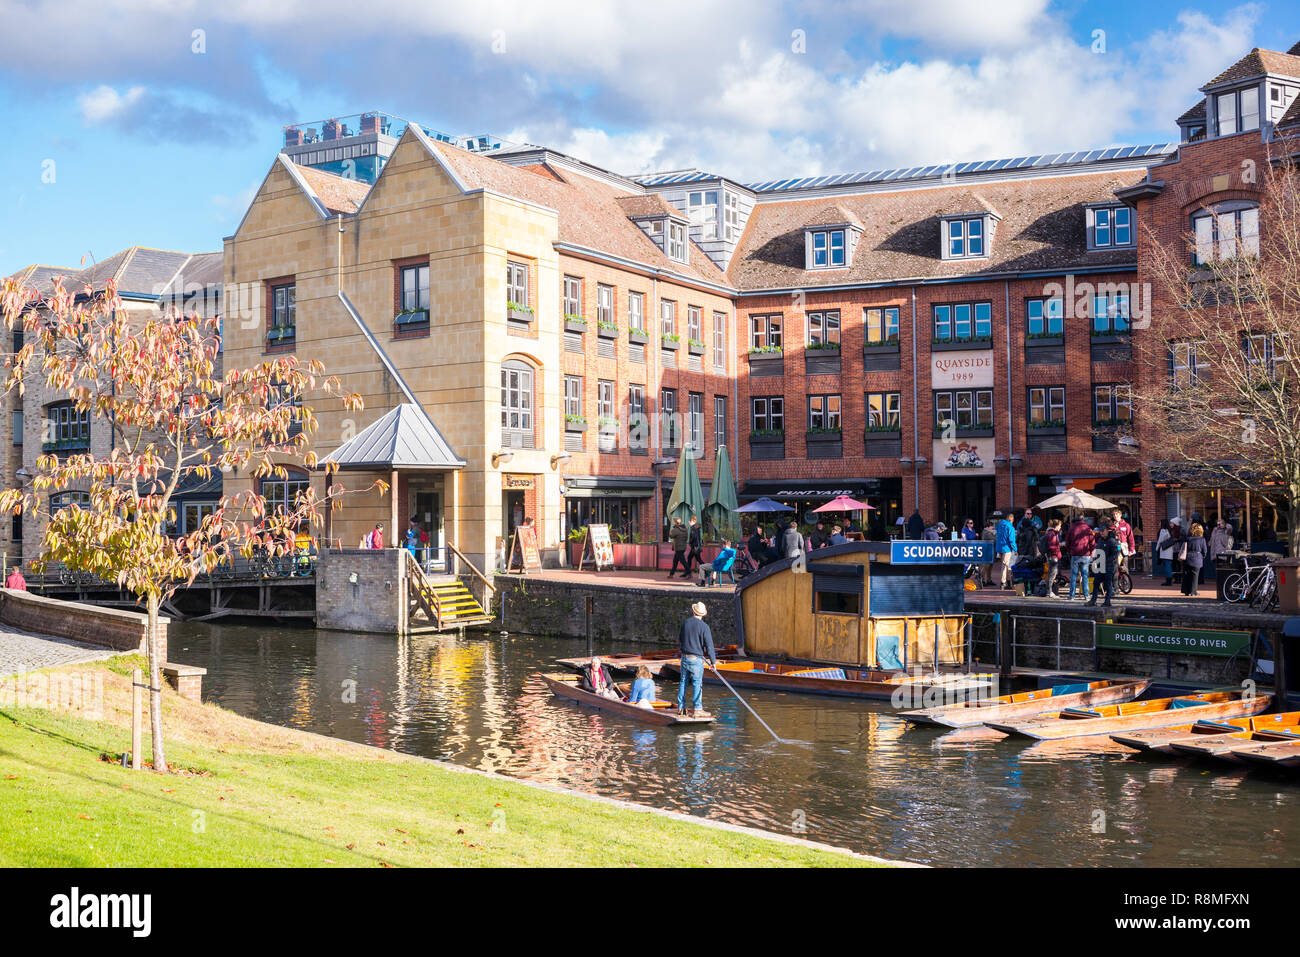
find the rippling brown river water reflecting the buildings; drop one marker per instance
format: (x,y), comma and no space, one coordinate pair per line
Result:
(855,776)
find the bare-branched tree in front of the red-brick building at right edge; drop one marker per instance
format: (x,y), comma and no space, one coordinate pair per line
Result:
(1220,358)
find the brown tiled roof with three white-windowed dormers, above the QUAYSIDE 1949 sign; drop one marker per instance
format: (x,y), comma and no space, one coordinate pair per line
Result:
(1042,228)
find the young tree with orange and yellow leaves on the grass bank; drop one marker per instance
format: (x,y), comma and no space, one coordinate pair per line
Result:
(175,415)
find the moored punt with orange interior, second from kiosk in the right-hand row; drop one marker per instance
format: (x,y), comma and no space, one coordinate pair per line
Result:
(1137,716)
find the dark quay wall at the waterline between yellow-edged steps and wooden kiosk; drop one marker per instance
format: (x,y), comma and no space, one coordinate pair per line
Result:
(618,612)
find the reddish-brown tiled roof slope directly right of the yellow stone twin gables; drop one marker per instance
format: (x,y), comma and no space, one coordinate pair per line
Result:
(591,214)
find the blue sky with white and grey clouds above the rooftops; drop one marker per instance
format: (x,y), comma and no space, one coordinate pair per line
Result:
(153,123)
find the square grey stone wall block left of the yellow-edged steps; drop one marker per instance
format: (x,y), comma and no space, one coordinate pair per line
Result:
(361,591)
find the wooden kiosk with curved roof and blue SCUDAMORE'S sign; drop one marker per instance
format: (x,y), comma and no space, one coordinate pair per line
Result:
(877,605)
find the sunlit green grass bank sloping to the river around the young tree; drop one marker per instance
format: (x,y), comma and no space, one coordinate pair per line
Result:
(258,795)
